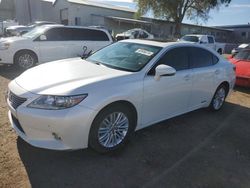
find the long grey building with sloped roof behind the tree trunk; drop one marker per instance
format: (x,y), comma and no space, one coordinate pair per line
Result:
(119,19)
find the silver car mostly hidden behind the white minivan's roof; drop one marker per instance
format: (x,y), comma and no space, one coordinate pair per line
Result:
(22,29)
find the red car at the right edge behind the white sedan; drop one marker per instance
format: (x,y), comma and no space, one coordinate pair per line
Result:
(242,62)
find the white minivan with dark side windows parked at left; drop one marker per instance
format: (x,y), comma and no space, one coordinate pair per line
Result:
(51,42)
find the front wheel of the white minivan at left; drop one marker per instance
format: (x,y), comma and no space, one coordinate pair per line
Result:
(25,60)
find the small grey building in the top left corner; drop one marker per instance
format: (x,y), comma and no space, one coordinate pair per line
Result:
(7,10)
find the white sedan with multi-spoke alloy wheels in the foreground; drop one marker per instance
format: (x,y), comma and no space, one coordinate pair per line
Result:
(129,85)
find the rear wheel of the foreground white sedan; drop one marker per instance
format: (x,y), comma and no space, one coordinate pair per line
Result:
(218,98)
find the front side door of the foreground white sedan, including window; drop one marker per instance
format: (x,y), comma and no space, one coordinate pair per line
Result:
(168,96)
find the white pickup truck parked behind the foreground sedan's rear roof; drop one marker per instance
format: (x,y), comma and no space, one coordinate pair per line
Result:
(206,40)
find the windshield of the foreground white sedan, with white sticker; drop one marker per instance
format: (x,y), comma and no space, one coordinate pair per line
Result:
(125,56)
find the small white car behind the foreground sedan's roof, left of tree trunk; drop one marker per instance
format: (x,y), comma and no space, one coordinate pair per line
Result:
(134,34)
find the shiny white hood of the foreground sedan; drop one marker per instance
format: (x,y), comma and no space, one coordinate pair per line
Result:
(65,77)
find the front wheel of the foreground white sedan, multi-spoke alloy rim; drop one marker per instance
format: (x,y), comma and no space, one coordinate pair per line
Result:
(106,136)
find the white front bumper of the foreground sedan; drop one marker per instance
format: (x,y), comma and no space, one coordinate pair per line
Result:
(66,129)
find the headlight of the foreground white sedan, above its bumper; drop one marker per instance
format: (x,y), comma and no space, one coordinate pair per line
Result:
(50,102)
